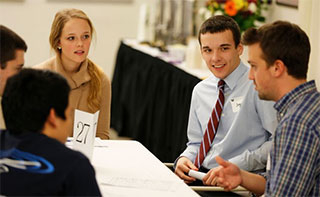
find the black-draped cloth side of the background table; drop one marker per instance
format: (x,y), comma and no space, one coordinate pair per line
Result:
(150,102)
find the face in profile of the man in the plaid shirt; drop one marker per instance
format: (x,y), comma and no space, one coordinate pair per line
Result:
(260,73)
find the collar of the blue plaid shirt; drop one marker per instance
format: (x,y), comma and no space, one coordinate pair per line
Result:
(290,98)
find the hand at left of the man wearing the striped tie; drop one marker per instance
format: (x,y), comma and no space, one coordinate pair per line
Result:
(182,169)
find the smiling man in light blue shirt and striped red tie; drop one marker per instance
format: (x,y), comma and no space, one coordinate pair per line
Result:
(226,115)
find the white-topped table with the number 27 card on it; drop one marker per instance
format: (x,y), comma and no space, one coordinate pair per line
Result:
(127,168)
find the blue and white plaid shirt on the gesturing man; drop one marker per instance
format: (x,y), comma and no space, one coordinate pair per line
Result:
(295,156)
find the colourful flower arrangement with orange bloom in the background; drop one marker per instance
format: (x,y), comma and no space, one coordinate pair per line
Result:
(247,13)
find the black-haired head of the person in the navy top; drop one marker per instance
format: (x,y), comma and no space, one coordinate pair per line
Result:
(31,97)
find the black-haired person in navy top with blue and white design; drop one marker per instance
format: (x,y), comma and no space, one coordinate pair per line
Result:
(33,158)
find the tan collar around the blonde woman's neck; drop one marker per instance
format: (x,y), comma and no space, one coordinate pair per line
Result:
(77,79)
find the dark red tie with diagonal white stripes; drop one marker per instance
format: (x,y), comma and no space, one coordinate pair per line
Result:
(212,127)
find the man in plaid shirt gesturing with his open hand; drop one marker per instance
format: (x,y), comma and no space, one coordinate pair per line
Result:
(279,56)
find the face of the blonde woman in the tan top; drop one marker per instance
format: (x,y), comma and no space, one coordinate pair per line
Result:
(75,43)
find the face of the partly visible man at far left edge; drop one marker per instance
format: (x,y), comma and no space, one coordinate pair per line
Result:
(12,67)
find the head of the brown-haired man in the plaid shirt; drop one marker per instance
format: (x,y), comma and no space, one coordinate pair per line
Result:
(279,55)
